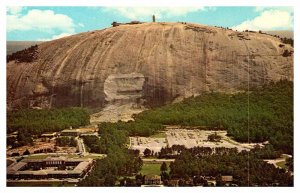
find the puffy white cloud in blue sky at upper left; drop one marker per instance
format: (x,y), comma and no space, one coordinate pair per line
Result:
(42,20)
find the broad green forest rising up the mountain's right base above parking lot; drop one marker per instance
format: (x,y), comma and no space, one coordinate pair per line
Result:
(263,114)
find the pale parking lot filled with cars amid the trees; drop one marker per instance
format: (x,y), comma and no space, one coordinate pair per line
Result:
(188,138)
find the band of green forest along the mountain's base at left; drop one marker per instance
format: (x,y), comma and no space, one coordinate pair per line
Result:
(36,122)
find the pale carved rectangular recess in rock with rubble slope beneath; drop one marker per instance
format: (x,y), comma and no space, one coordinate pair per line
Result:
(124,95)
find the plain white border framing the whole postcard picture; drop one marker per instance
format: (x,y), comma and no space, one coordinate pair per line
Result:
(161,3)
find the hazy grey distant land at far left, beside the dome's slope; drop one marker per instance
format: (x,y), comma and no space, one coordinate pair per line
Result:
(14,46)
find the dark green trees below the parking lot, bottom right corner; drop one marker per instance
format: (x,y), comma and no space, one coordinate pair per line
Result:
(242,166)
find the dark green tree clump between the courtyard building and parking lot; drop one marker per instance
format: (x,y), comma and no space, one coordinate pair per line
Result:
(119,161)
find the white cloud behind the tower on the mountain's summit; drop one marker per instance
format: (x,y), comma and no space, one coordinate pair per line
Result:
(142,13)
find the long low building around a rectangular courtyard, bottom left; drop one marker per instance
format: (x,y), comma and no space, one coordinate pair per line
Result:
(50,167)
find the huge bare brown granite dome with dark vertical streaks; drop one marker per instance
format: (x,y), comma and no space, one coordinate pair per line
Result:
(146,64)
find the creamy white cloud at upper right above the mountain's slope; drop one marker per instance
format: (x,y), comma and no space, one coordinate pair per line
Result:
(268,20)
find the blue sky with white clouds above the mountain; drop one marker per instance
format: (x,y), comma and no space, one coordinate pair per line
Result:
(48,23)
